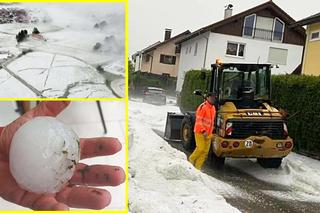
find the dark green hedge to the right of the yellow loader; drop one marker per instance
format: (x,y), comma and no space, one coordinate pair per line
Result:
(300,97)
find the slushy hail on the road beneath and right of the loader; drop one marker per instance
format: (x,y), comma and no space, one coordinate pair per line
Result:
(298,173)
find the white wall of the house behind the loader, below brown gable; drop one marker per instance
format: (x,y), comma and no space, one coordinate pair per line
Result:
(256,51)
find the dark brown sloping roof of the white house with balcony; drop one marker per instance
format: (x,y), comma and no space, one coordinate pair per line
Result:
(269,4)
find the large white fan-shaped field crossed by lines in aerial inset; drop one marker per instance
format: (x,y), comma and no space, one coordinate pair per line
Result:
(54,73)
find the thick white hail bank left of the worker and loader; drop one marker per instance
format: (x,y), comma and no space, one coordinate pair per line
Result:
(160,177)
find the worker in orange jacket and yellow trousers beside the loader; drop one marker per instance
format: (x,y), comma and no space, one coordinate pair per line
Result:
(203,129)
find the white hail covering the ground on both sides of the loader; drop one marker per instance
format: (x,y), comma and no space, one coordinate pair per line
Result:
(162,180)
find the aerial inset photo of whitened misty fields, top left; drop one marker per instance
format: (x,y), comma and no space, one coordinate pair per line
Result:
(62,50)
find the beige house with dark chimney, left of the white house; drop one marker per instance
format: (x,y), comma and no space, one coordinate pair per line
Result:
(161,58)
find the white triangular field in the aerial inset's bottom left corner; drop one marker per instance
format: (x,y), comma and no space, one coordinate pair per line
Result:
(12,88)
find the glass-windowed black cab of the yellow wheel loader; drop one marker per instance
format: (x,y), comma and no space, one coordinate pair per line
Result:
(246,85)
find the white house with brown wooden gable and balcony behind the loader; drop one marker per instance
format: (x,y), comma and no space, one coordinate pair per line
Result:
(257,35)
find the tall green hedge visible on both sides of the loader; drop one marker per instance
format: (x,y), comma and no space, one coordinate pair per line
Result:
(299,96)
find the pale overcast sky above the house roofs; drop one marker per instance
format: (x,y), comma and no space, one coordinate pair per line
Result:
(149,18)
